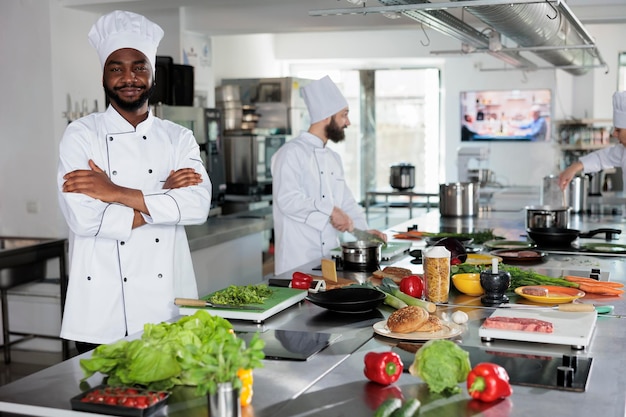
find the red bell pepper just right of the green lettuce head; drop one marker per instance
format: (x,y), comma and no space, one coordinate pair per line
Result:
(488,382)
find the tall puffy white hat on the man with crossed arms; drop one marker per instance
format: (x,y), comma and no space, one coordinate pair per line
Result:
(121,29)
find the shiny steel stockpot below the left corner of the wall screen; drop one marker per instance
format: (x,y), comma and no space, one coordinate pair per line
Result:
(459,199)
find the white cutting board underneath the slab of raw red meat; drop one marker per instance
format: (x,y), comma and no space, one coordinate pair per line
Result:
(570,328)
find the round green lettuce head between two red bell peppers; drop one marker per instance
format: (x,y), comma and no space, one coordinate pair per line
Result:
(442,364)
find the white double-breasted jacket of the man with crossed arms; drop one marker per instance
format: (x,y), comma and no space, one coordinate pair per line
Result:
(121,278)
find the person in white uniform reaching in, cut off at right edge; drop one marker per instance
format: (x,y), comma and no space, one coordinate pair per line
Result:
(609,157)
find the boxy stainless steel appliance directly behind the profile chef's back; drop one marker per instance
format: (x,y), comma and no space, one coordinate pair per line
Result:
(248,163)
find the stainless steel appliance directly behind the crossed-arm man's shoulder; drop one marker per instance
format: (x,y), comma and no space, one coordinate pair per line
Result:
(206,125)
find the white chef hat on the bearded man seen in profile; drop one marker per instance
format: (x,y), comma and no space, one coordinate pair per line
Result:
(323,99)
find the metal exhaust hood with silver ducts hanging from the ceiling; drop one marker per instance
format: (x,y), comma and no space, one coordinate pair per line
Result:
(546,28)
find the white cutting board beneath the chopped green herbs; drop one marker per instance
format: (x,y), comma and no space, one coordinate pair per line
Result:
(281,299)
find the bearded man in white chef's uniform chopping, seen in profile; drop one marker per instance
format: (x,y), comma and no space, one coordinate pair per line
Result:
(312,203)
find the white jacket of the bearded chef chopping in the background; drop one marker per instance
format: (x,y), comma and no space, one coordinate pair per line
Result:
(307,182)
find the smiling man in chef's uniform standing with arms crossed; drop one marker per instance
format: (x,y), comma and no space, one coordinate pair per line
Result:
(128,184)
